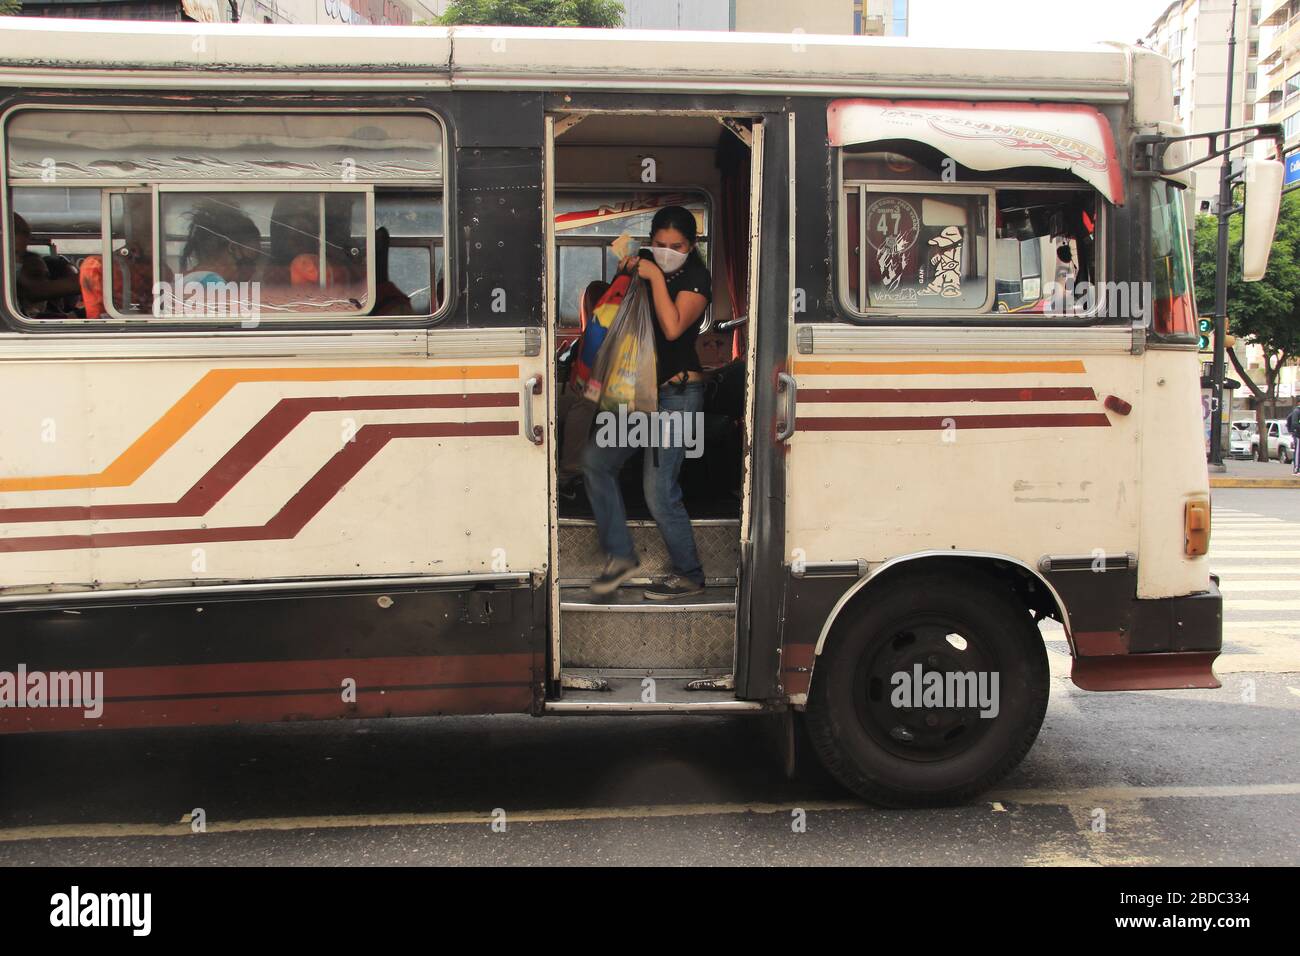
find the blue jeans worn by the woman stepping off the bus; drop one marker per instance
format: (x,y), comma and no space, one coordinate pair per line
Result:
(601,468)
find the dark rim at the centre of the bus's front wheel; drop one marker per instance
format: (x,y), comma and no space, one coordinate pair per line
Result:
(941,646)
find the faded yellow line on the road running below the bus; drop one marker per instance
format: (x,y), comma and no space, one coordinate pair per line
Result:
(1063,798)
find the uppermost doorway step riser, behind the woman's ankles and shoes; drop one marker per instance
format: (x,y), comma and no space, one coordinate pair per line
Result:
(717,540)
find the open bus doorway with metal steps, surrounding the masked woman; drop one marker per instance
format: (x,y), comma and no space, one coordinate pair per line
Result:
(613,172)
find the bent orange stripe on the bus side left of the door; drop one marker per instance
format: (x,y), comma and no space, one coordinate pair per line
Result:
(190,409)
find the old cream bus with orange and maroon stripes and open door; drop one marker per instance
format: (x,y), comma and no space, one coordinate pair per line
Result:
(954,400)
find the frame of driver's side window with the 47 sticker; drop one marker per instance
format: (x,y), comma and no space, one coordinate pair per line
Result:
(847,313)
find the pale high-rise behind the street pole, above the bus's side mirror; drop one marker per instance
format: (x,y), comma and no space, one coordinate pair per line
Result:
(1194,34)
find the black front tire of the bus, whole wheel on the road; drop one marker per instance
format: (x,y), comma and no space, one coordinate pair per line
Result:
(929,756)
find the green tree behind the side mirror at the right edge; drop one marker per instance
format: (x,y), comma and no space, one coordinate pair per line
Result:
(1266,313)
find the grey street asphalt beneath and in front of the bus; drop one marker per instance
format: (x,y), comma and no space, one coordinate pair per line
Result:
(1185,778)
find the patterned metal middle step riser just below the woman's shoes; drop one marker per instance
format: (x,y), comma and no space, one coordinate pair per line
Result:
(626,631)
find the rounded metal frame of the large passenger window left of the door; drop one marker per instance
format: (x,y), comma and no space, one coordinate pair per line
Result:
(443,191)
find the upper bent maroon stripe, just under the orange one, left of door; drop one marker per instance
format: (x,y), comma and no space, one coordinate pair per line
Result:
(246,453)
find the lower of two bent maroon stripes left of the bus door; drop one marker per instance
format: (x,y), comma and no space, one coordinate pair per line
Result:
(297,512)
